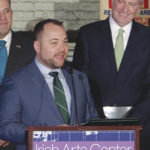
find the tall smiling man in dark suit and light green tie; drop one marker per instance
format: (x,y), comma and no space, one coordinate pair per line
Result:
(127,84)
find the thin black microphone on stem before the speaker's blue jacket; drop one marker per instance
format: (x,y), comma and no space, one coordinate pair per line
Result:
(70,70)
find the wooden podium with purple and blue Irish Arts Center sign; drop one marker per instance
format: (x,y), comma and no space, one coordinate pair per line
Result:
(108,137)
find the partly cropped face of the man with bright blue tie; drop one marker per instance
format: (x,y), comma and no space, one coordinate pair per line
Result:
(5,18)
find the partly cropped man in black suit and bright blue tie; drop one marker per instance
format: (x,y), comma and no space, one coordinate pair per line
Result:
(19,47)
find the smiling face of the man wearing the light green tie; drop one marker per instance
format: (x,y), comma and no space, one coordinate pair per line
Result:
(123,11)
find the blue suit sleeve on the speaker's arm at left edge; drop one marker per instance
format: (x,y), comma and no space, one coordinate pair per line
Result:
(11,128)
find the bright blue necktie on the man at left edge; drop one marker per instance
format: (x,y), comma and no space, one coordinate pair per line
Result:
(3,59)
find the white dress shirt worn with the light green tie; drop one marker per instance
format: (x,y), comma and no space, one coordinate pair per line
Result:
(115,30)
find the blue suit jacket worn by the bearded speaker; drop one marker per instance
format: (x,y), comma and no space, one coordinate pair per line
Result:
(25,100)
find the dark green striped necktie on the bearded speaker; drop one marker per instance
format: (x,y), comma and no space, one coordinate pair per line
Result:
(60,97)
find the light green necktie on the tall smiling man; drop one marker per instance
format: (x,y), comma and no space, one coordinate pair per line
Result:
(119,48)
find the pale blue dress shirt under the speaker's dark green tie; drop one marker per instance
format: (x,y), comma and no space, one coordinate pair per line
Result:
(49,80)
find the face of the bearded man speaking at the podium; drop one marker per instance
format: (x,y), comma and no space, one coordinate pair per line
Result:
(51,46)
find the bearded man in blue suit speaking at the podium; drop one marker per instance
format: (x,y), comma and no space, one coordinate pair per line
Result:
(28,97)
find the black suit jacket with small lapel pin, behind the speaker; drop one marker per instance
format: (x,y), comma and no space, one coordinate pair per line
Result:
(21,51)
